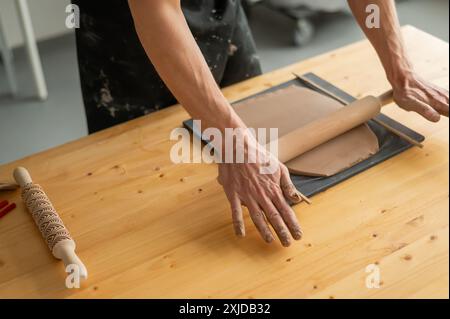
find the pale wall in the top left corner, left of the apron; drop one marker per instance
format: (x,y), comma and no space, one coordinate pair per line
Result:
(48,18)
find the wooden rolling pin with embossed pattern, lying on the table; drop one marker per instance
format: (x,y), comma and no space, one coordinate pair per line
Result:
(48,221)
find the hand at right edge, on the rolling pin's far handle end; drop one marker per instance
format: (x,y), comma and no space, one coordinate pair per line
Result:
(421,96)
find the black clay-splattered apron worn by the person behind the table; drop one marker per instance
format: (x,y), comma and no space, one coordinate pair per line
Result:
(119,82)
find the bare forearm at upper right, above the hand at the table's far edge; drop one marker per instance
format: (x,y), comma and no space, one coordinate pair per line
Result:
(387,40)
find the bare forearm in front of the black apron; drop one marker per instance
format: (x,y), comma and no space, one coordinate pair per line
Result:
(168,42)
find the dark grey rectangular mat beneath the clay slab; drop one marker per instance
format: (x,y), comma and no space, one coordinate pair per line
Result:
(390,144)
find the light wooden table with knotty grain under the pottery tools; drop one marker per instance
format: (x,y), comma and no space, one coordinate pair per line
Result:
(148,228)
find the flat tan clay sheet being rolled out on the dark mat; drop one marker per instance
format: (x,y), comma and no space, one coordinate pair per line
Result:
(293,107)
